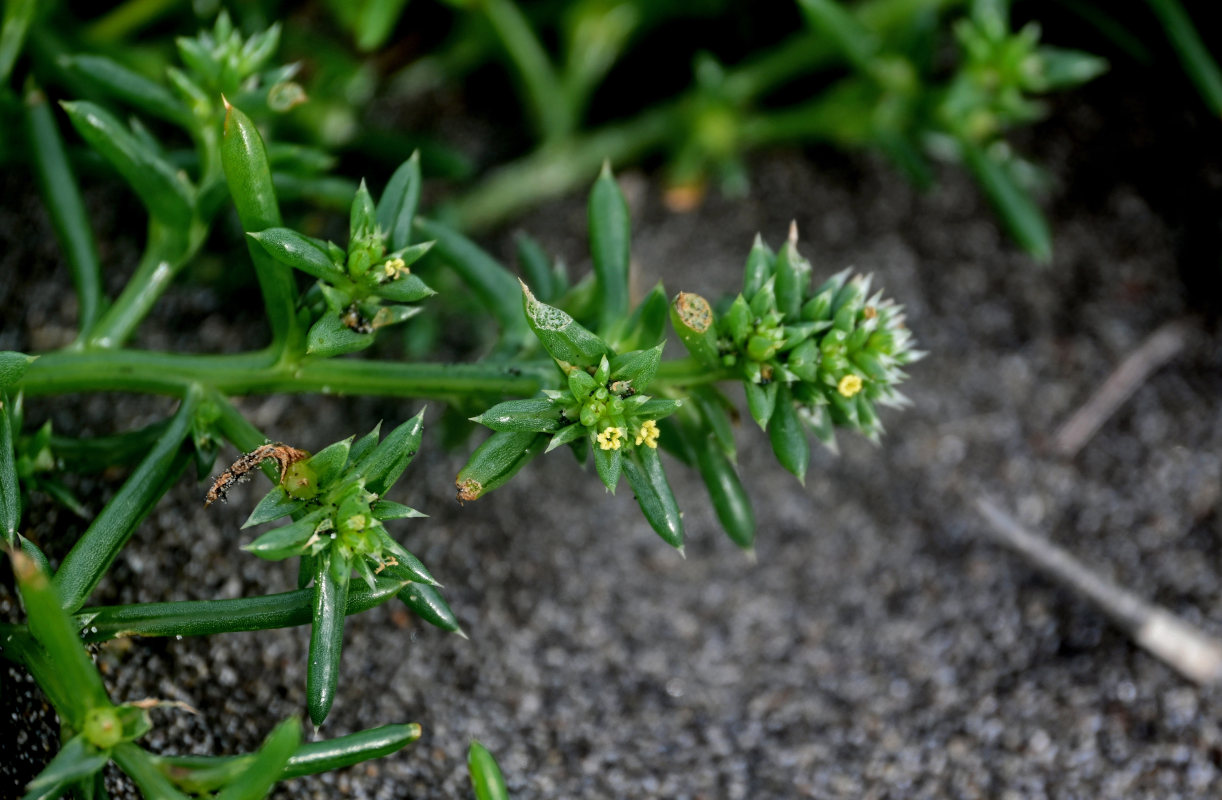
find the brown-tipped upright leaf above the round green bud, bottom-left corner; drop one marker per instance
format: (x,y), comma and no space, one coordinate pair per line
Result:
(56,633)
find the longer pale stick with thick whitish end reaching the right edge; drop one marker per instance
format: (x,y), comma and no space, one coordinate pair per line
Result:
(1187,649)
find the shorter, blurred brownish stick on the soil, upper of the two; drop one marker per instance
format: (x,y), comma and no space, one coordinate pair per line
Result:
(1159,349)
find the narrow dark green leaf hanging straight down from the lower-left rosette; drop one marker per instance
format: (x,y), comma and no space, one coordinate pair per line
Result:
(327,635)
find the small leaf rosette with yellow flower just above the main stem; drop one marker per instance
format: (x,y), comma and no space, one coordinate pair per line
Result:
(370,285)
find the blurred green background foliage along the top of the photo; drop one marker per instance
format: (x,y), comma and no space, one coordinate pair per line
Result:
(514,103)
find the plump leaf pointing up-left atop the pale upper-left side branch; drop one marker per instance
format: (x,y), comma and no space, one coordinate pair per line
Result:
(164,191)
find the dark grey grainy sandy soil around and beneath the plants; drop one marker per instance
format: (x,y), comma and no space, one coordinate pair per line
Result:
(880,648)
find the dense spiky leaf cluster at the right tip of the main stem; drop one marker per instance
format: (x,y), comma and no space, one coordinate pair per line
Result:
(808,360)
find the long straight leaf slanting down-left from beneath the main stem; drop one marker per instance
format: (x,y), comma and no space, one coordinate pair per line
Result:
(98,548)
